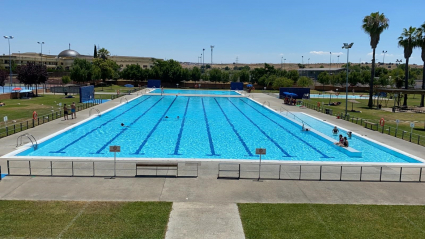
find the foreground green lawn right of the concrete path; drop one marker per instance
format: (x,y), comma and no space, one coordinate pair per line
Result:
(332,221)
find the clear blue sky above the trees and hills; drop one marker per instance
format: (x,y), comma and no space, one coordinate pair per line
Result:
(254,31)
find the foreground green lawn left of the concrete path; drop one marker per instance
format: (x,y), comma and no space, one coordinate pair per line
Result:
(49,219)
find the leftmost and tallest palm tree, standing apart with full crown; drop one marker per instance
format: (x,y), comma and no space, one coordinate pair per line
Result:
(374,25)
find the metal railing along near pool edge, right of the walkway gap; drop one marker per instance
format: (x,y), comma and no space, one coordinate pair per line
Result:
(317,172)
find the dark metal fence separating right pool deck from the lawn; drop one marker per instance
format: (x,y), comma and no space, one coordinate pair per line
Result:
(369,124)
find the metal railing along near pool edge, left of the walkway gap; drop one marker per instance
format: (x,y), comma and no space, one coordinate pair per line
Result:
(90,168)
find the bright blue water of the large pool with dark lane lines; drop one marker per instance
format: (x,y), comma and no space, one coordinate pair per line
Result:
(207,128)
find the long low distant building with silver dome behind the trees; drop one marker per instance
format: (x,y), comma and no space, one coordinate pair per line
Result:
(66,58)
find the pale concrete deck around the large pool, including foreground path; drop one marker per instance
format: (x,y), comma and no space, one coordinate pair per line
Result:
(207,194)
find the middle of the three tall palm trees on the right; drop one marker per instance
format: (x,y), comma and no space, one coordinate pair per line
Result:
(407,41)
